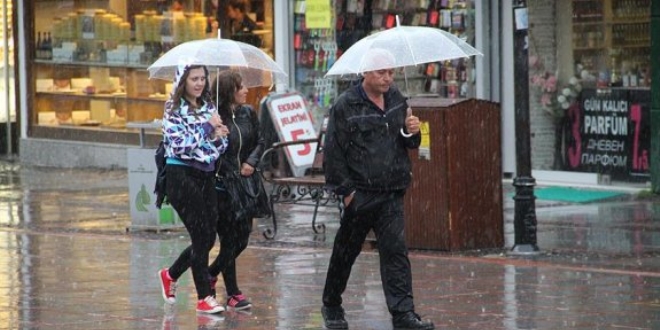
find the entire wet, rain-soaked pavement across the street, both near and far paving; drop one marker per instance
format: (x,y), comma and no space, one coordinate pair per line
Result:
(67,262)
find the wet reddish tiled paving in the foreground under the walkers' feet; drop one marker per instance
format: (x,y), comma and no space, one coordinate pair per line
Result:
(87,281)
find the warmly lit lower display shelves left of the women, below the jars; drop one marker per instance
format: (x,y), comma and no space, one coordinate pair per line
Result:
(95,94)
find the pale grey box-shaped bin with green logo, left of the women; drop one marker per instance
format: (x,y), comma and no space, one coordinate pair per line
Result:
(141,181)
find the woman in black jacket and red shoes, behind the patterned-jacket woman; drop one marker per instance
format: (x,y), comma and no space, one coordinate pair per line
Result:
(246,145)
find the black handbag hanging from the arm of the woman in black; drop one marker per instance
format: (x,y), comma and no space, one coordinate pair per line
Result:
(248,195)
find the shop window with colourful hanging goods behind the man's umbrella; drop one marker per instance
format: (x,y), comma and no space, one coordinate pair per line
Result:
(315,50)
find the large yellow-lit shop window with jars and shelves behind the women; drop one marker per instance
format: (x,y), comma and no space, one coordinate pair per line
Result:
(90,58)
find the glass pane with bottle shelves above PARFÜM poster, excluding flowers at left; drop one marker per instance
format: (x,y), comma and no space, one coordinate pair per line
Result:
(611,47)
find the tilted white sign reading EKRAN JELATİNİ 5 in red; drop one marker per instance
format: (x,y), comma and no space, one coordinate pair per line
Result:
(293,122)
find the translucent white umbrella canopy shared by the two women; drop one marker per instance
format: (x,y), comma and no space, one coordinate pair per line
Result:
(256,67)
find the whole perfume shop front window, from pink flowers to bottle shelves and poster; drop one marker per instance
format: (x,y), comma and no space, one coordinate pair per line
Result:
(590,81)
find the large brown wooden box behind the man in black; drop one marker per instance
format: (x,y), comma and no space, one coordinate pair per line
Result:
(455,199)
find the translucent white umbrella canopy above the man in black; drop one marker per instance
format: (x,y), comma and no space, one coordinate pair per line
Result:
(407,45)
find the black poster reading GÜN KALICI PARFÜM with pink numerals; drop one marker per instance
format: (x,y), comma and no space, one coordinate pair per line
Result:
(609,133)
